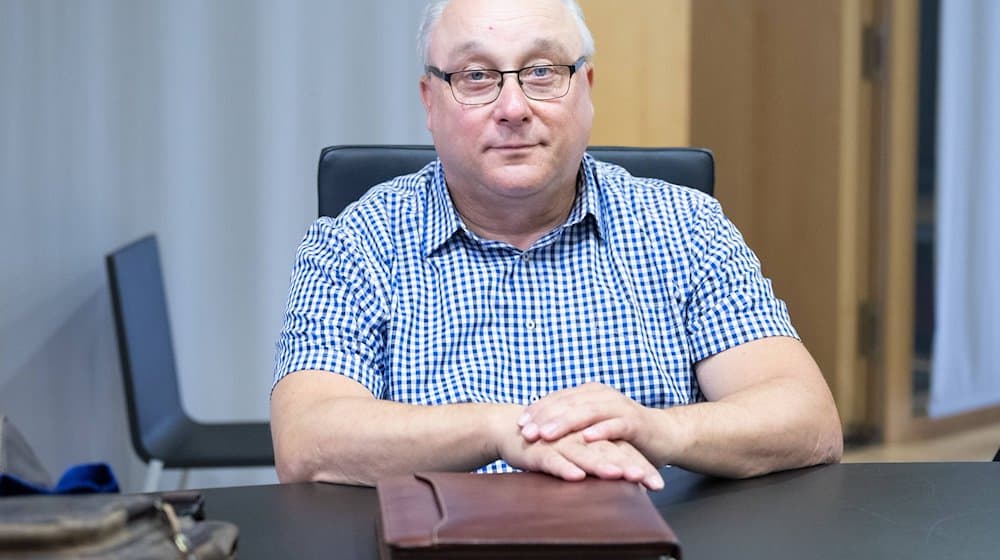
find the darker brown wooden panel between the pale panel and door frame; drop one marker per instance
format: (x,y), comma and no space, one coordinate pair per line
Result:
(776,93)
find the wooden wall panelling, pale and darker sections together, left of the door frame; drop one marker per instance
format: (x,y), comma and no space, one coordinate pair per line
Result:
(773,87)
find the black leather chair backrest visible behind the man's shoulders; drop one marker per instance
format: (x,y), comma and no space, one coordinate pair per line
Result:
(347,172)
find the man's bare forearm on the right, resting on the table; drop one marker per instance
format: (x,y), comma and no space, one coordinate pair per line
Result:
(756,431)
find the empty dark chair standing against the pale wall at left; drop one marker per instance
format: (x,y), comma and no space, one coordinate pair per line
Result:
(163,435)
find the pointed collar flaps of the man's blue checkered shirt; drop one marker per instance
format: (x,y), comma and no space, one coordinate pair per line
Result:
(444,221)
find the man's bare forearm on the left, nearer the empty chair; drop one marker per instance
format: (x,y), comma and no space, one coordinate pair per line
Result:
(357,439)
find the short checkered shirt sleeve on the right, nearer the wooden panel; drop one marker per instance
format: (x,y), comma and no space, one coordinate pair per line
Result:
(731,302)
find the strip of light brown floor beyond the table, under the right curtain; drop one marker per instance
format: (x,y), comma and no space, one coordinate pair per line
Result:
(973,445)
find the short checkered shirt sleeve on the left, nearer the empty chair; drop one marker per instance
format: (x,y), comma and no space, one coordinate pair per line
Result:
(335,315)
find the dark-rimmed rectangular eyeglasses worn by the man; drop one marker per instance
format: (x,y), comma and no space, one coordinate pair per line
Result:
(483,85)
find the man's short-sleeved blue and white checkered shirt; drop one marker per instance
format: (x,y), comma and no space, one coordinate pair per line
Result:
(642,281)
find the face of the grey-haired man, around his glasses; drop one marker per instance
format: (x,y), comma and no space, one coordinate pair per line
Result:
(514,147)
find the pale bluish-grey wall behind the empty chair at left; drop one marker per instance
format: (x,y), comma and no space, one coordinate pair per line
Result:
(200,121)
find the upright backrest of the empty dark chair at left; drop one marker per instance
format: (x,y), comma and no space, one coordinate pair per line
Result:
(144,343)
